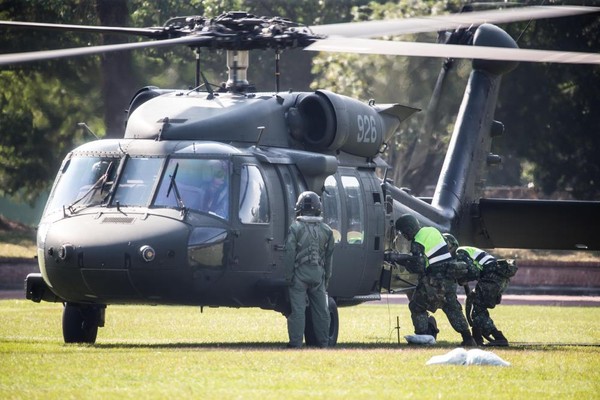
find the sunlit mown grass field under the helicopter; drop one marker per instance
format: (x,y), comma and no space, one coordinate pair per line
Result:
(161,352)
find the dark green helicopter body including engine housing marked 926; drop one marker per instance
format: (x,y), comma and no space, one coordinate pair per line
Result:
(132,220)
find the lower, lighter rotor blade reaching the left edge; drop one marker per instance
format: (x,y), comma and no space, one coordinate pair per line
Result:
(17,58)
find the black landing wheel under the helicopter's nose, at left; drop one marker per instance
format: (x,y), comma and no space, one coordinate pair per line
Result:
(81,322)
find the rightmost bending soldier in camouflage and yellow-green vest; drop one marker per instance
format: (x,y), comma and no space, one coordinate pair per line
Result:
(493,276)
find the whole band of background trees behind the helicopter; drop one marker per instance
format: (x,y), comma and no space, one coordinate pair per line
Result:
(549,110)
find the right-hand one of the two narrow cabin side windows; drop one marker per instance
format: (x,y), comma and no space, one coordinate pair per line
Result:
(355,220)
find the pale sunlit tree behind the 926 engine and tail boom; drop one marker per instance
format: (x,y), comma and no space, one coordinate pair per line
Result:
(415,155)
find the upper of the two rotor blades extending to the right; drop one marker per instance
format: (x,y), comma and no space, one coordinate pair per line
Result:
(370,29)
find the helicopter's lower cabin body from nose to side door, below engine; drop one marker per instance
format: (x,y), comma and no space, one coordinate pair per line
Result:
(136,243)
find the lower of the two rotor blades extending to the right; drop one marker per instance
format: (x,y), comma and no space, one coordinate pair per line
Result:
(399,48)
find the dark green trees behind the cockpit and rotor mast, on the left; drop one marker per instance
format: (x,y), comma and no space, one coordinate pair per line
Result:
(42,102)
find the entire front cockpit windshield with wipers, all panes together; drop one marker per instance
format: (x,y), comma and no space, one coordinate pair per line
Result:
(194,184)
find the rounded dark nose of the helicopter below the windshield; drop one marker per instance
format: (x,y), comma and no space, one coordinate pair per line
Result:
(112,257)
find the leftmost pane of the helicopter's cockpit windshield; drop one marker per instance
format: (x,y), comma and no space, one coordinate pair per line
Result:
(83,182)
